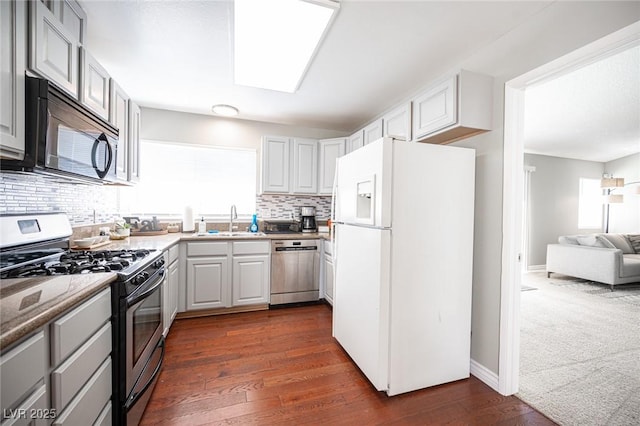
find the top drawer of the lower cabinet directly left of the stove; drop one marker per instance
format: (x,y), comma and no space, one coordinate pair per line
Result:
(74,328)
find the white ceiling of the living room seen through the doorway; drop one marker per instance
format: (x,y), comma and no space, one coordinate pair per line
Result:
(592,113)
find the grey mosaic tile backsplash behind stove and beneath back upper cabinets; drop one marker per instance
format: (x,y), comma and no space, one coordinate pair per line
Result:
(86,204)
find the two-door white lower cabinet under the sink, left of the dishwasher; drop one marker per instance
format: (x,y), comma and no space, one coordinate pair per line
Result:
(223,274)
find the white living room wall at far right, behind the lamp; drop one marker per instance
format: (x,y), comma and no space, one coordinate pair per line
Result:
(625,217)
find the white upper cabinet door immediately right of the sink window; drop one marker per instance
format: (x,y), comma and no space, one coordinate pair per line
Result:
(275,164)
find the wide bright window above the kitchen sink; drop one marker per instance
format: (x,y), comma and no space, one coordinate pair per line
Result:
(209,179)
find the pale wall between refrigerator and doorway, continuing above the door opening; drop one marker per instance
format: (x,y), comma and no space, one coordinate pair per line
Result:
(556,31)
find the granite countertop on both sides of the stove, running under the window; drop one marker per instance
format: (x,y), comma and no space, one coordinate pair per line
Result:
(27,304)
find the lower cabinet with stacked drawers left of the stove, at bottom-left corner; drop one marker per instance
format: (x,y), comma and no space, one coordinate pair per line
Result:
(61,375)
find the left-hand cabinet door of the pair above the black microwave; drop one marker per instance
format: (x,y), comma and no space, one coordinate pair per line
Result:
(53,50)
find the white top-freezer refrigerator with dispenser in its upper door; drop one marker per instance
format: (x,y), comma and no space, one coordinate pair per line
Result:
(403,257)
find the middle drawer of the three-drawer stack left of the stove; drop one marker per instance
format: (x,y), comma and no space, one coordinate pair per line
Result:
(67,379)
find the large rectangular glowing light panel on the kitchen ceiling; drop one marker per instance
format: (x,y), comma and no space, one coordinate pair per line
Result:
(276,40)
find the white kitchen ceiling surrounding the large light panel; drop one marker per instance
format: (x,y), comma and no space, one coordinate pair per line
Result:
(177,55)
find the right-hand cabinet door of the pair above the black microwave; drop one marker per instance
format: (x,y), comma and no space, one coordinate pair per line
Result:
(95,85)
